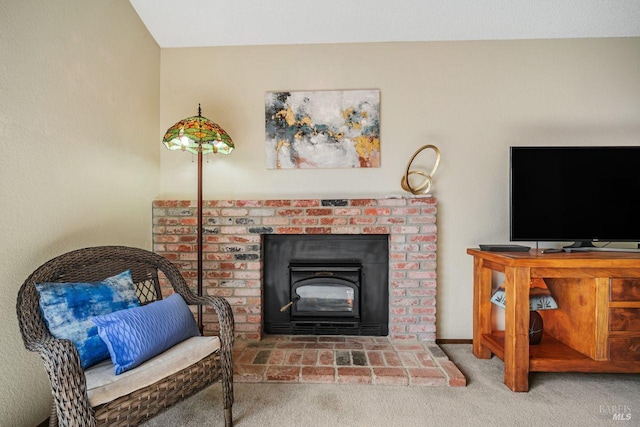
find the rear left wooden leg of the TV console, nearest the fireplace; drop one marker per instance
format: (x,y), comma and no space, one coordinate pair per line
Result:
(481,307)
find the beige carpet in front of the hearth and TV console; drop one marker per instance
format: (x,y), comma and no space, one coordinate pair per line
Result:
(553,400)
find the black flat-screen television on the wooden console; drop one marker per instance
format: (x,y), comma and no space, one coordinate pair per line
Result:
(575,194)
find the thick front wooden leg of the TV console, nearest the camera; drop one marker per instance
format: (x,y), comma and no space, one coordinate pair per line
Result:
(516,345)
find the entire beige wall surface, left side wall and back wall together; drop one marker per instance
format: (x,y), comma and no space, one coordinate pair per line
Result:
(80,102)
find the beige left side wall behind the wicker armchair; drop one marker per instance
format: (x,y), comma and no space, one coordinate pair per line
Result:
(79,108)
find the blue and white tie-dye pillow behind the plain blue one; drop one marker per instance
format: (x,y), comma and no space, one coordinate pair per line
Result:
(67,308)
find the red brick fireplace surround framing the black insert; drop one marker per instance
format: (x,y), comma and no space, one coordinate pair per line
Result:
(232,250)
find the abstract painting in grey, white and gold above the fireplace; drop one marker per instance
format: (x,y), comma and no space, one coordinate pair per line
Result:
(323,129)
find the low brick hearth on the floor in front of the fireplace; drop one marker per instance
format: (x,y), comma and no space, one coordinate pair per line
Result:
(344,359)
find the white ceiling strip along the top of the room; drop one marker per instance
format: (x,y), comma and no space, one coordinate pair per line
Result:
(194,23)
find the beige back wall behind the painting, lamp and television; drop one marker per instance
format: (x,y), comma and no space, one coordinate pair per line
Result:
(471,99)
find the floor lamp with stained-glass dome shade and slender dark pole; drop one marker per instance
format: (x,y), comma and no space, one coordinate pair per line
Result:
(198,135)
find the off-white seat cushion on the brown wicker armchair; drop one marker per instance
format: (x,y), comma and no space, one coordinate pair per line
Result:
(103,385)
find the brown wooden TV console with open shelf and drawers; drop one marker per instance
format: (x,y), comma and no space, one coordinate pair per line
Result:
(596,327)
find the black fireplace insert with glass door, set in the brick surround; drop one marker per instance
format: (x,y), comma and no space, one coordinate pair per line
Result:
(326,285)
